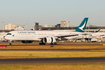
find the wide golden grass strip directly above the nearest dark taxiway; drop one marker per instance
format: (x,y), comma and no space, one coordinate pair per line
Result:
(49,54)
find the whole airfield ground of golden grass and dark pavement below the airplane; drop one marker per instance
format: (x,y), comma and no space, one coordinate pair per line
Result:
(69,56)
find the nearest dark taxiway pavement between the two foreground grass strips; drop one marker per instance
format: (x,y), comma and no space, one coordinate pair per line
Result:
(93,60)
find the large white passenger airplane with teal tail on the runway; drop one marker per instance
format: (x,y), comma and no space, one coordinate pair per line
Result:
(44,36)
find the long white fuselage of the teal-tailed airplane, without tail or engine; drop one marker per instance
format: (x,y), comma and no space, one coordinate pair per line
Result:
(36,35)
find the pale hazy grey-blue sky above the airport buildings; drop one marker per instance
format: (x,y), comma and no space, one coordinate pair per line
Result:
(51,12)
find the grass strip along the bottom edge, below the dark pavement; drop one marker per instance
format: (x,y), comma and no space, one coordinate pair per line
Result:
(54,67)
